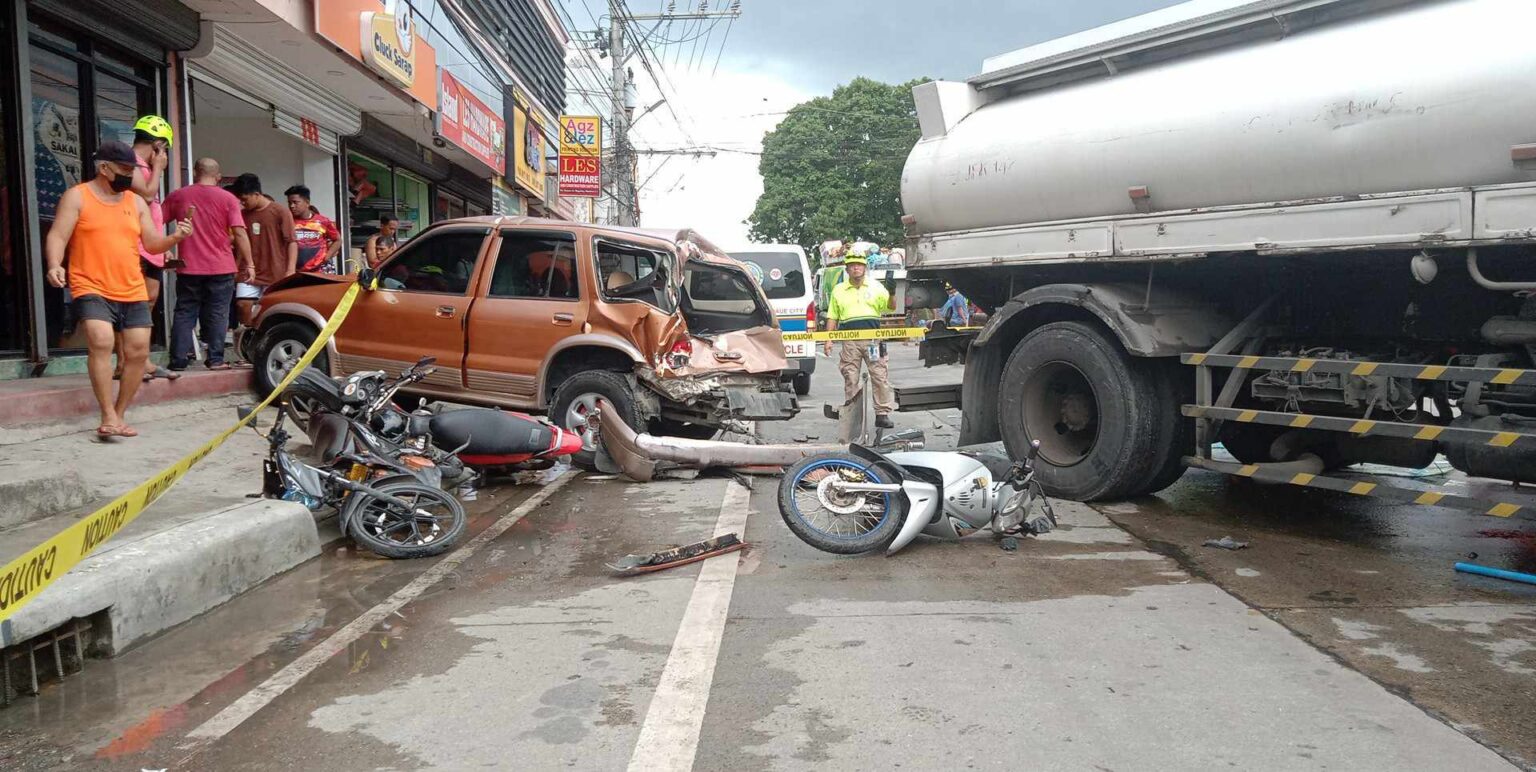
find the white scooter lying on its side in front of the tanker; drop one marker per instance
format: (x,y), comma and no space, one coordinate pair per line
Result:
(866,501)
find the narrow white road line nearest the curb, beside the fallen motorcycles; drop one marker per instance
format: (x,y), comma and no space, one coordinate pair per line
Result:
(283,681)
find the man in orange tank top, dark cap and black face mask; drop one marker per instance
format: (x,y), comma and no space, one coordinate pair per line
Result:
(101,225)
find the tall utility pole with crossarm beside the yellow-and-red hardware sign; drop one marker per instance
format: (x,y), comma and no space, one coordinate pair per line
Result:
(626,194)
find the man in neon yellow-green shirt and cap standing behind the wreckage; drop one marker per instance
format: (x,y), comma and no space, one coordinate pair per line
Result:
(858,305)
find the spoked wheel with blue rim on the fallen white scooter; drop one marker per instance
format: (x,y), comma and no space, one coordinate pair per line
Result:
(833,520)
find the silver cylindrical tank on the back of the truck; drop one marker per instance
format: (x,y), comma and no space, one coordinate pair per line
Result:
(1431,96)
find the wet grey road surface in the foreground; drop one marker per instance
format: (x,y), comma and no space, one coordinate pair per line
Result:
(1340,639)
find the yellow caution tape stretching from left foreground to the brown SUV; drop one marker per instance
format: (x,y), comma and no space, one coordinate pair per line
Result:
(25,578)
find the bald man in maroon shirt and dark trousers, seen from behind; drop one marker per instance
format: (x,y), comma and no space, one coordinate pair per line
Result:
(207,282)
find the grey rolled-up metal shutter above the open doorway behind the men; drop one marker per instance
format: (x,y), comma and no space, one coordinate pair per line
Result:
(225,58)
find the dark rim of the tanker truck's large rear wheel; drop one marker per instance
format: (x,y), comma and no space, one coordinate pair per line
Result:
(1062,412)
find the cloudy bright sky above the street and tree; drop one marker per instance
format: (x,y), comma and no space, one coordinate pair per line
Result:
(781,53)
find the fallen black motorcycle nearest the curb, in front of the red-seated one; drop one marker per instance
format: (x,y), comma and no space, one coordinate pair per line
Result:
(389,507)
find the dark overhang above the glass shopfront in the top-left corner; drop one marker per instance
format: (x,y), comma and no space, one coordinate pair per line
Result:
(144,27)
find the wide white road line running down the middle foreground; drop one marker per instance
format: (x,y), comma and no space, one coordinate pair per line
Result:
(670,734)
